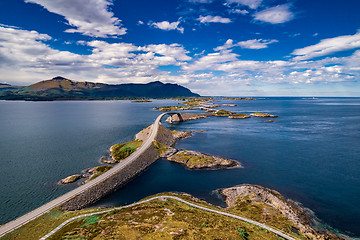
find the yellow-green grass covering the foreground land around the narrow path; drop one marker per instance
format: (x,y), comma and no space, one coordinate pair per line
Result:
(157,219)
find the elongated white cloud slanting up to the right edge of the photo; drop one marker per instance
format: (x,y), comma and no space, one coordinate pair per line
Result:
(329,46)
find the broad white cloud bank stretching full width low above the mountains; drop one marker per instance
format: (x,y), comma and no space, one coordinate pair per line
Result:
(26,57)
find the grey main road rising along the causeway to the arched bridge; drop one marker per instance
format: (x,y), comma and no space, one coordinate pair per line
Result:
(8,227)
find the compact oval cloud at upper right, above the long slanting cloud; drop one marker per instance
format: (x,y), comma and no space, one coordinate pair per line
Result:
(275,15)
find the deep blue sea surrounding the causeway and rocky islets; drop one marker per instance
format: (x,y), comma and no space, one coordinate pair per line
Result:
(310,153)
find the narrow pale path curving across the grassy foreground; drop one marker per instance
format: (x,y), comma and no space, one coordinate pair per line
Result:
(277,232)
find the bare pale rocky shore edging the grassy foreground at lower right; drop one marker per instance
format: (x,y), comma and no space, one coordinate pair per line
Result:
(253,194)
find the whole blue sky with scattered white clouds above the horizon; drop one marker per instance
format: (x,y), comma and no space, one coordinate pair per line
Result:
(213,47)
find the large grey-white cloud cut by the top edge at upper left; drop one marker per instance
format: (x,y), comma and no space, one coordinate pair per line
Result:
(88,17)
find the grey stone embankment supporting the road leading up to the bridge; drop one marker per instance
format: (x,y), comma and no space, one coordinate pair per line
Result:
(109,185)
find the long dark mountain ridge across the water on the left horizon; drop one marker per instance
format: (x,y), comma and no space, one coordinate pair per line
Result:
(60,88)
